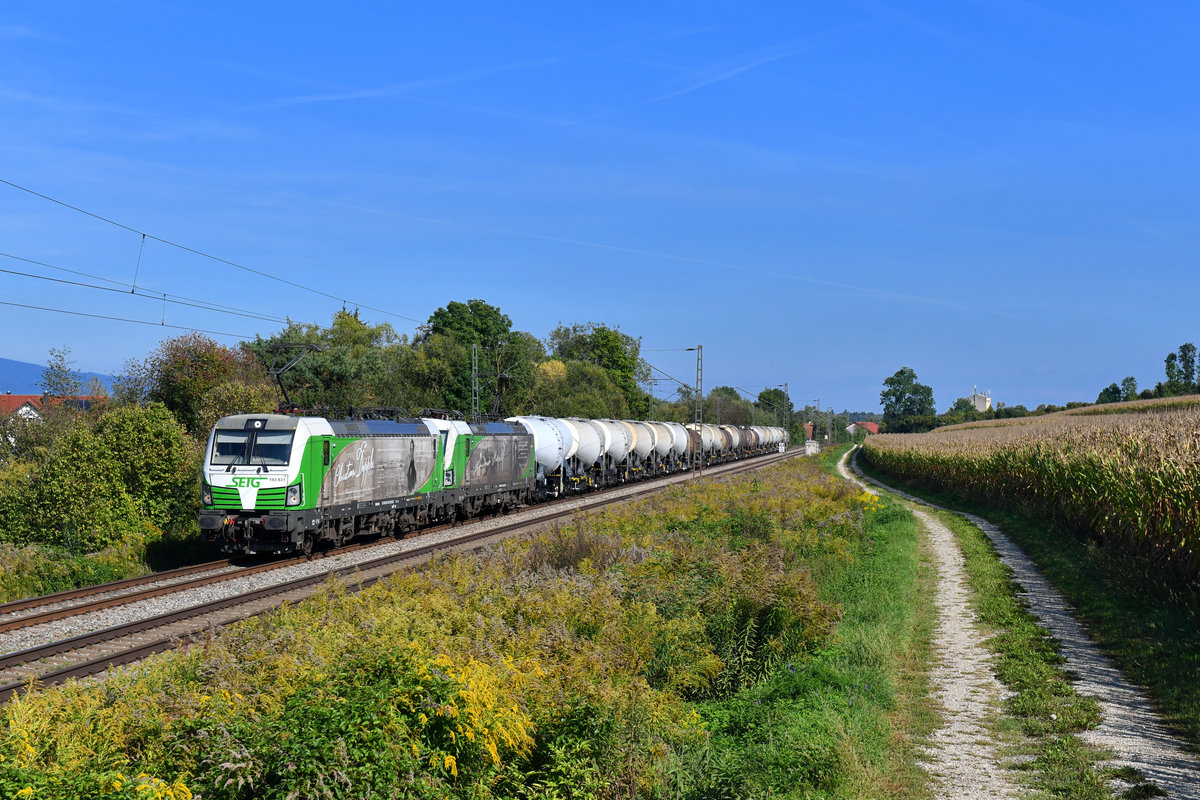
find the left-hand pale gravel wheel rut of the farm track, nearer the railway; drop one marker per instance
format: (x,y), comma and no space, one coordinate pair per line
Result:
(964,756)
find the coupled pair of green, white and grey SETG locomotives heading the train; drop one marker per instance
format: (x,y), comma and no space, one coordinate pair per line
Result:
(279,484)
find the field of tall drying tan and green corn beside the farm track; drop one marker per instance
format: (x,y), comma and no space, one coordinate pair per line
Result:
(1127,479)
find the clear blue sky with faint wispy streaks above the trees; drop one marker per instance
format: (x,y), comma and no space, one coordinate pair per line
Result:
(1001,195)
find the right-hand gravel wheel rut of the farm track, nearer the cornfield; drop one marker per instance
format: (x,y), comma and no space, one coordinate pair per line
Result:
(1130,729)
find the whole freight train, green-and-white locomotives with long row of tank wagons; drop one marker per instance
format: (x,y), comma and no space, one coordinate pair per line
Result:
(285,484)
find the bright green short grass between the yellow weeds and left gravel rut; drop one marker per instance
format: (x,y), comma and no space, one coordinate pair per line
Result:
(847,723)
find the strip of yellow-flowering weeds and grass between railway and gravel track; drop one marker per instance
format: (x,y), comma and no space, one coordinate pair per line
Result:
(743,637)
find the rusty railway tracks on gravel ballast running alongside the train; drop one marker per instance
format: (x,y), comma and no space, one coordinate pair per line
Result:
(95,652)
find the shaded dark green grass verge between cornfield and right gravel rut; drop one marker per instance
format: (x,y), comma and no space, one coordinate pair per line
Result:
(1153,636)
